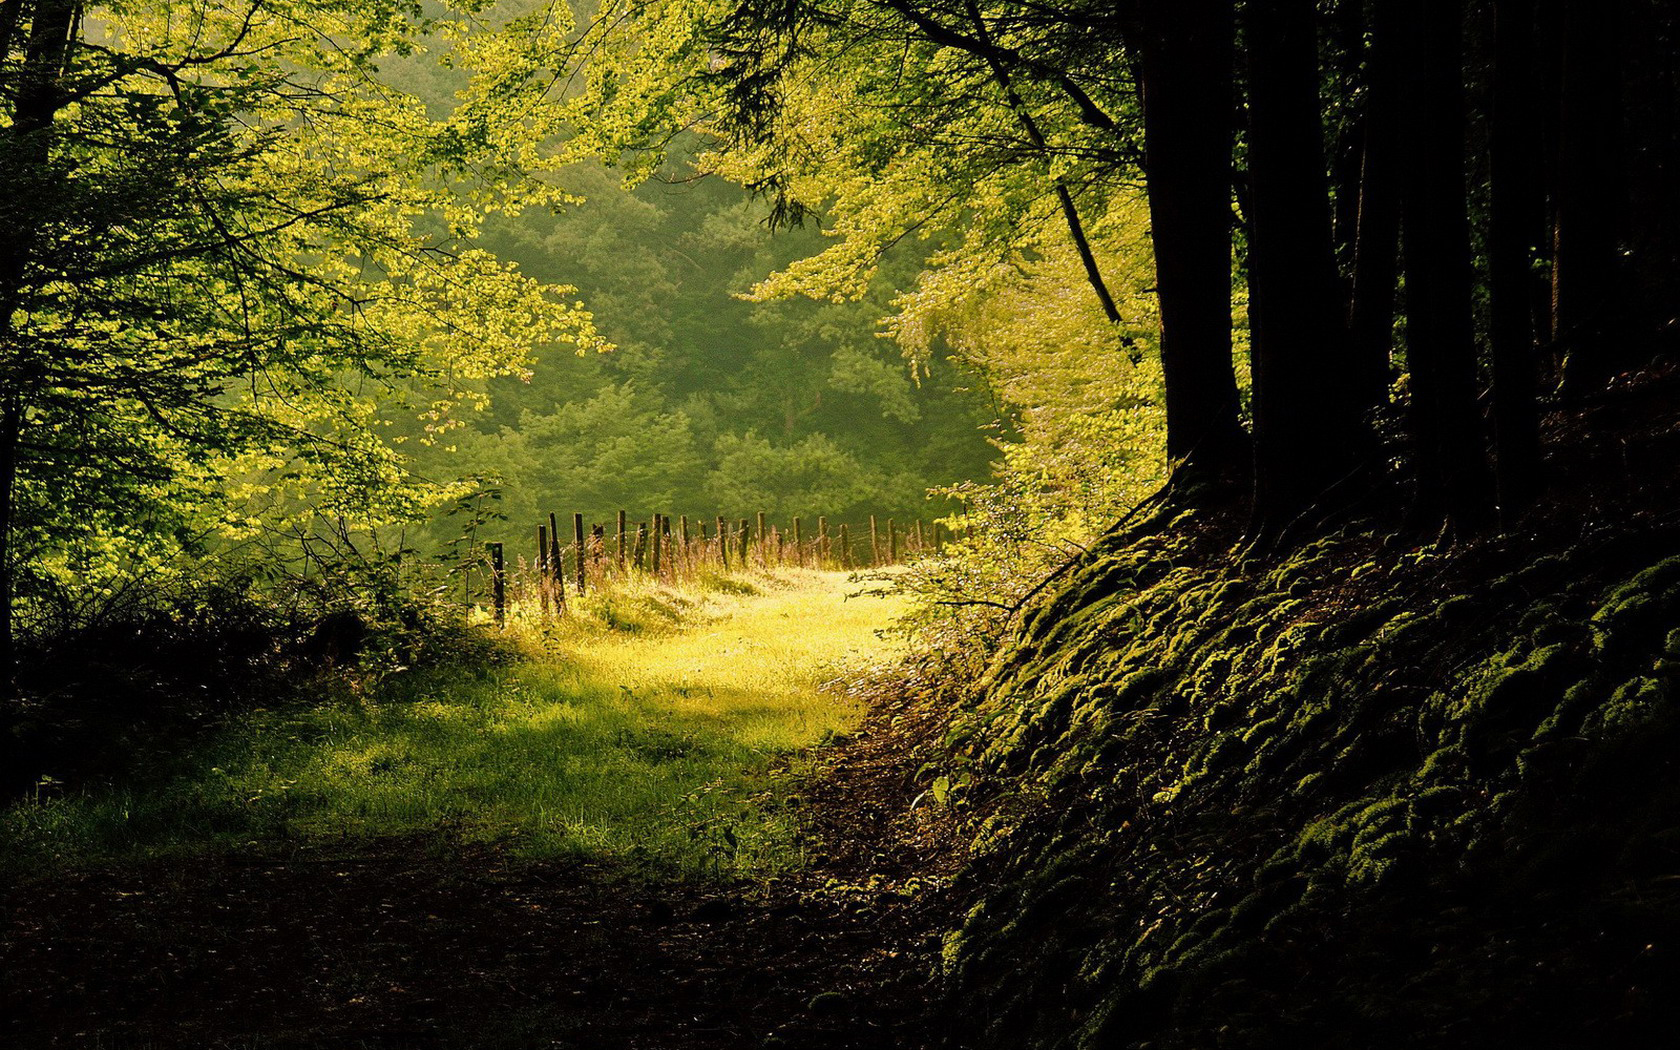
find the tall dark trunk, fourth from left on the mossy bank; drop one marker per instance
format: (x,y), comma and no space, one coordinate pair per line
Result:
(1441,327)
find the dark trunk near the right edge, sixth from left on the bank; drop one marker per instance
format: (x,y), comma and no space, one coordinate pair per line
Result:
(1590,197)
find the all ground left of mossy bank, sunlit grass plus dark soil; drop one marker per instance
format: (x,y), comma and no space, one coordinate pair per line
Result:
(658,829)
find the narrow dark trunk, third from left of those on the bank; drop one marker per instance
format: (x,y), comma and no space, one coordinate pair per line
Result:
(1377,246)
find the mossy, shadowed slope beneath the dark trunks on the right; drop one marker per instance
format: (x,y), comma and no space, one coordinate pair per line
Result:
(1358,797)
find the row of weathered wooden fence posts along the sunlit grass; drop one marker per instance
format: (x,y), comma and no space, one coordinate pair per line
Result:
(565,564)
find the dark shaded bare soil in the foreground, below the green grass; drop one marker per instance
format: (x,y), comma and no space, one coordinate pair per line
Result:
(438,943)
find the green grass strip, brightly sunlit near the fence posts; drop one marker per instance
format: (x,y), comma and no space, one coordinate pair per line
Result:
(648,730)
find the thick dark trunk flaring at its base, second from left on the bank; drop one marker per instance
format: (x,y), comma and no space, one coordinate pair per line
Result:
(1308,429)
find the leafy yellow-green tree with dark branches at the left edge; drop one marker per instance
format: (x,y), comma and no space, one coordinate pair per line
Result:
(226,243)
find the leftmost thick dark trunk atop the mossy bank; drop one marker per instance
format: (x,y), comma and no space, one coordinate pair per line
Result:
(1187,63)
